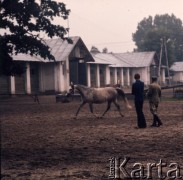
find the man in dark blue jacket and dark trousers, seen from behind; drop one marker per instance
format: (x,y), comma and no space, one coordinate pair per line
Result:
(138,92)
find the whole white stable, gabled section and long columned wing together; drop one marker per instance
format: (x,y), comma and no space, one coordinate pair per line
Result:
(74,63)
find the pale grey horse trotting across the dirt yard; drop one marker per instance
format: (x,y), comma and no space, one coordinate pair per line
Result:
(98,96)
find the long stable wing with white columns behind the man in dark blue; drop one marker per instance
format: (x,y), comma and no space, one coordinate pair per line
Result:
(113,68)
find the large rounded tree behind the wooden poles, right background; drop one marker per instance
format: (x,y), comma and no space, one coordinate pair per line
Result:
(151,33)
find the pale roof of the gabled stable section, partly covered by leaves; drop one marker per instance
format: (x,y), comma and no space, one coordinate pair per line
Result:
(59,48)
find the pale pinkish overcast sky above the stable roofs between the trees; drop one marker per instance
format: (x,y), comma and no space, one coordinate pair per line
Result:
(111,23)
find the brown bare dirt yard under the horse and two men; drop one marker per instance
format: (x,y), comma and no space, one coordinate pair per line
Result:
(44,142)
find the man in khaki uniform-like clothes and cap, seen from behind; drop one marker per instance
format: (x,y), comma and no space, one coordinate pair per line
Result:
(154,94)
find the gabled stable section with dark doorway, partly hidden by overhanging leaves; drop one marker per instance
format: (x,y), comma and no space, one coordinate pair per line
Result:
(46,76)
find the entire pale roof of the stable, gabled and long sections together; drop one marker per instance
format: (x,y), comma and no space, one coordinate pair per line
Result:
(61,50)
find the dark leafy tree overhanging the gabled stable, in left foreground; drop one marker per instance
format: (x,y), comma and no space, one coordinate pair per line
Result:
(24,21)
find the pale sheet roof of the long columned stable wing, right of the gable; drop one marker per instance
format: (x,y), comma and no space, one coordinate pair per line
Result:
(134,59)
